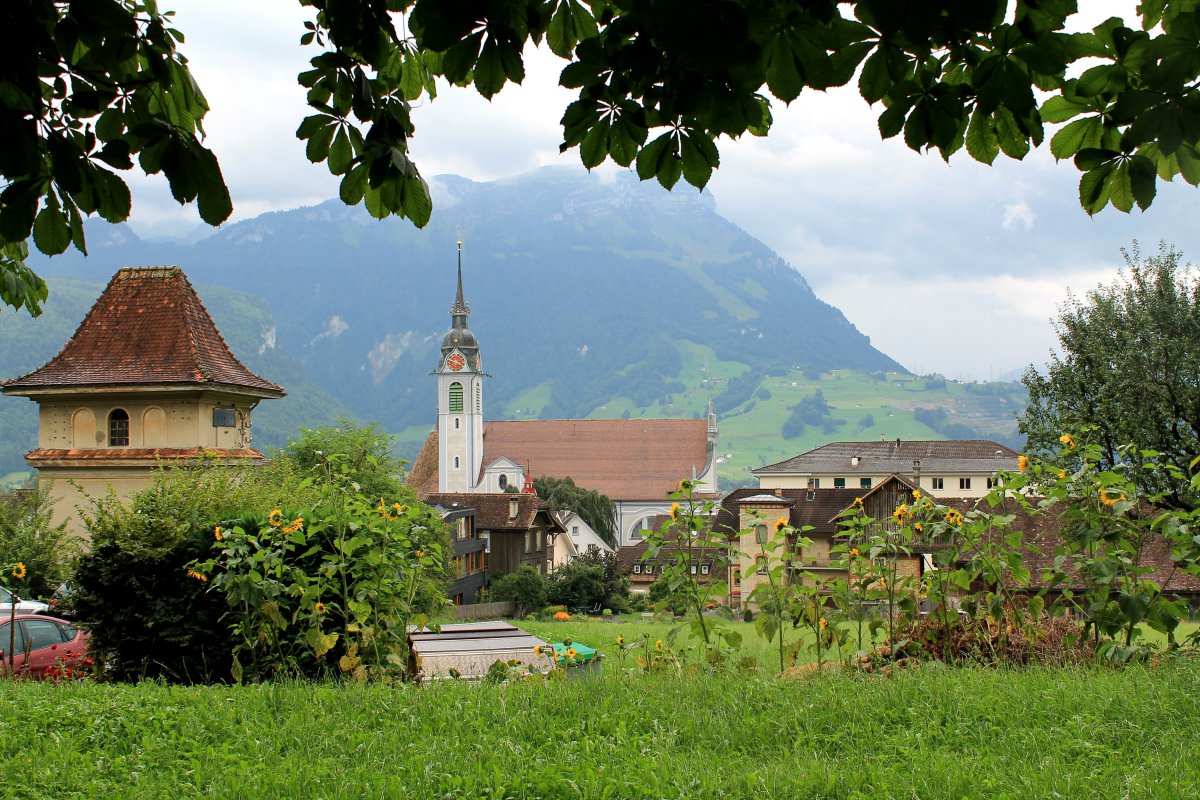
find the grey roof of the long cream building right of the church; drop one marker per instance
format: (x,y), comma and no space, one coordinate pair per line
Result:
(897,456)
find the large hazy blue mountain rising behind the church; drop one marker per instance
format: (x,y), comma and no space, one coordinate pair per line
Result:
(590,297)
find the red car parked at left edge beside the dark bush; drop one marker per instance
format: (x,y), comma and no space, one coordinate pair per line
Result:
(56,647)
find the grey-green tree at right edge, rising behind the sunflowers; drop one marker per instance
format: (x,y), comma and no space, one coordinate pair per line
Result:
(1126,370)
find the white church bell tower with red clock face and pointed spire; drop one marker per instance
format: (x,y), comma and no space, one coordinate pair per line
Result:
(460,401)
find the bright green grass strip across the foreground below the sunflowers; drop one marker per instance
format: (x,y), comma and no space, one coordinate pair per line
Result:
(931,735)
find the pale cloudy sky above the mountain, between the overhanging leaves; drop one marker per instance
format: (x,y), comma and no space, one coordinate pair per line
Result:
(949,268)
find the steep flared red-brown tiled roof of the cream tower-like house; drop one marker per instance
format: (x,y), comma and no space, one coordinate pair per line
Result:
(148,328)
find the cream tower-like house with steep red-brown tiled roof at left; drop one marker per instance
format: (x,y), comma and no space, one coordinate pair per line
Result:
(146,381)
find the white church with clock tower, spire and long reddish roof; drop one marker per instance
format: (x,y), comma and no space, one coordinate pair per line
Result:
(637,464)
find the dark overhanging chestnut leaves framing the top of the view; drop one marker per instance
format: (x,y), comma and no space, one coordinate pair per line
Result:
(88,86)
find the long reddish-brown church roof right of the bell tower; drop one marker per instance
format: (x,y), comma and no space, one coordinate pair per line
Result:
(626,460)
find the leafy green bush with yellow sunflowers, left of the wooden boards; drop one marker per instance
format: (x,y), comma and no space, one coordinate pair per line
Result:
(332,591)
